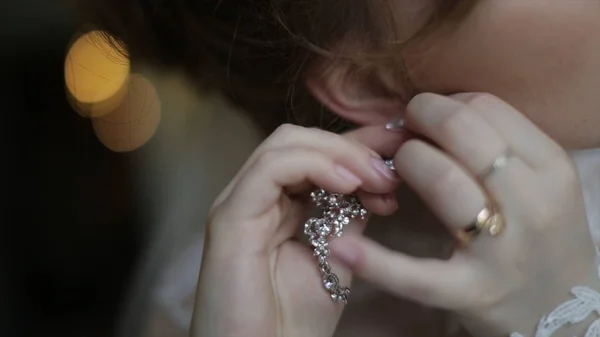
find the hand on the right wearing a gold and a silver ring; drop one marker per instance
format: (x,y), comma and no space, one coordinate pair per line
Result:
(488,153)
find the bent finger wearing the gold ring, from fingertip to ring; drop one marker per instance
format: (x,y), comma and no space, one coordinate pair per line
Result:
(448,190)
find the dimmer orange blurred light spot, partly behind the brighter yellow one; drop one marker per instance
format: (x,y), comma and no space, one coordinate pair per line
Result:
(134,122)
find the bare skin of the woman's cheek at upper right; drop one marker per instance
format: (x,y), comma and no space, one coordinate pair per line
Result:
(541,56)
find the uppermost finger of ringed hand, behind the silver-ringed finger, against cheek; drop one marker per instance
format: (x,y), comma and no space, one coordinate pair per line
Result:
(524,138)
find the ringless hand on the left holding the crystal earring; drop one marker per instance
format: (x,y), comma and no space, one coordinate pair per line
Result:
(256,280)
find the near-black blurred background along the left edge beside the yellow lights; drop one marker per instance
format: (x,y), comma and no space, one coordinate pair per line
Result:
(71,229)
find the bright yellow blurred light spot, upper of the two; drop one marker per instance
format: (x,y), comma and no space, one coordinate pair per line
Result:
(96,75)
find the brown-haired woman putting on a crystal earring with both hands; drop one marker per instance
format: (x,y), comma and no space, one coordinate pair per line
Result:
(498,156)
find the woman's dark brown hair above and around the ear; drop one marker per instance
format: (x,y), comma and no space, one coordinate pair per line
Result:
(257,51)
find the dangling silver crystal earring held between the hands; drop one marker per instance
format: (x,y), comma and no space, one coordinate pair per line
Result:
(337,210)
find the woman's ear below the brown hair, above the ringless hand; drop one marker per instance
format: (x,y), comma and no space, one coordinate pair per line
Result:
(364,97)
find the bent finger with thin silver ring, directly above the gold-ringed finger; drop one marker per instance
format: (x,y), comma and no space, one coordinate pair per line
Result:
(457,129)
